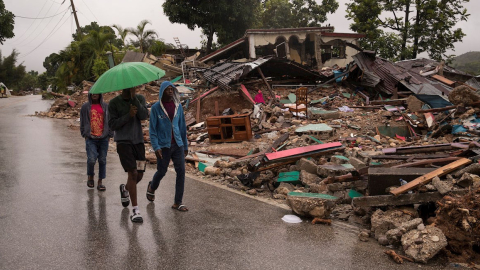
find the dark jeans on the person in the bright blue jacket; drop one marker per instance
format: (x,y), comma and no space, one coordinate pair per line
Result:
(177,155)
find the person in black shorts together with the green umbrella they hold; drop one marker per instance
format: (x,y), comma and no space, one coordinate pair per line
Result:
(125,114)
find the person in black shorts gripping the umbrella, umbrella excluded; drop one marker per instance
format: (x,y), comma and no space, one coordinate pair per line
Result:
(125,114)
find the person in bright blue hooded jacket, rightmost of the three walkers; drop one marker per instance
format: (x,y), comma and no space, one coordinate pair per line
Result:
(168,135)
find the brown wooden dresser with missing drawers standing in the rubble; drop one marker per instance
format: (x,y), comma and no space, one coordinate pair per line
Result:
(229,128)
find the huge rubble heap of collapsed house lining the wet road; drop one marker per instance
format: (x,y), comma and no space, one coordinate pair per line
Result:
(390,152)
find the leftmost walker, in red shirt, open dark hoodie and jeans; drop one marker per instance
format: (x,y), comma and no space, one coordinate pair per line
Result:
(94,128)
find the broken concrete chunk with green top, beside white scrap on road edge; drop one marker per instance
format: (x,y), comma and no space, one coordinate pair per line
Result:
(311,204)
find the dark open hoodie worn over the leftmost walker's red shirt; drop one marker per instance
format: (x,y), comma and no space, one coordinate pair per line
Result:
(85,113)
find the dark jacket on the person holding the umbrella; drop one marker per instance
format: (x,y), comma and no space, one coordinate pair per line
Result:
(127,129)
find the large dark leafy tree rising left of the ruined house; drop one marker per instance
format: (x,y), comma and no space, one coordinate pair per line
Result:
(227,19)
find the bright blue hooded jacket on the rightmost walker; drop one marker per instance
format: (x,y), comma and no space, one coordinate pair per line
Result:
(161,126)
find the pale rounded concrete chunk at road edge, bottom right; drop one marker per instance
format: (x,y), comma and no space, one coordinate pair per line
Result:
(424,245)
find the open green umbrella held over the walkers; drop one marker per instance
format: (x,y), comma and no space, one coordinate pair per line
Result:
(126,75)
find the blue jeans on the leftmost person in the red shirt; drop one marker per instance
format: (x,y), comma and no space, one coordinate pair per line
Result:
(97,149)
